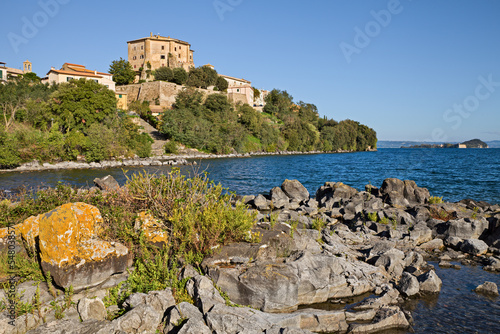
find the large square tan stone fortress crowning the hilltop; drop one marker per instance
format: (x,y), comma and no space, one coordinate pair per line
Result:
(159,51)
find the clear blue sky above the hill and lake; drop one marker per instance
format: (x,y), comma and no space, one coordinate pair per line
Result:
(410,69)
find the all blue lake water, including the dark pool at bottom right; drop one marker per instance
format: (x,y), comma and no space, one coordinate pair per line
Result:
(454,174)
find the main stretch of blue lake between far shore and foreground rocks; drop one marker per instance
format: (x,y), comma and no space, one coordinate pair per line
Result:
(454,174)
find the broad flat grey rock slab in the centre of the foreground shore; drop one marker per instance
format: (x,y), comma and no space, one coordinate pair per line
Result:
(304,278)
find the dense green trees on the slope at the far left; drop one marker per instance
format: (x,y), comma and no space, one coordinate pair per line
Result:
(63,122)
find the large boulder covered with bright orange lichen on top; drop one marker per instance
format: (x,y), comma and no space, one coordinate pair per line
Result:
(71,250)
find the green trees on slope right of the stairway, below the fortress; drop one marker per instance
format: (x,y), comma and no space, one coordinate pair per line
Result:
(213,124)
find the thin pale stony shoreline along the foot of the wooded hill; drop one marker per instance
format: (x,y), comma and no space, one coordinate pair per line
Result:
(162,160)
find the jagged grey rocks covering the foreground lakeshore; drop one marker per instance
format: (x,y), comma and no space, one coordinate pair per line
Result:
(333,246)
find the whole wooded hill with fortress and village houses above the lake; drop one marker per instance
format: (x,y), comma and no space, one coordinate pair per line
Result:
(155,103)
